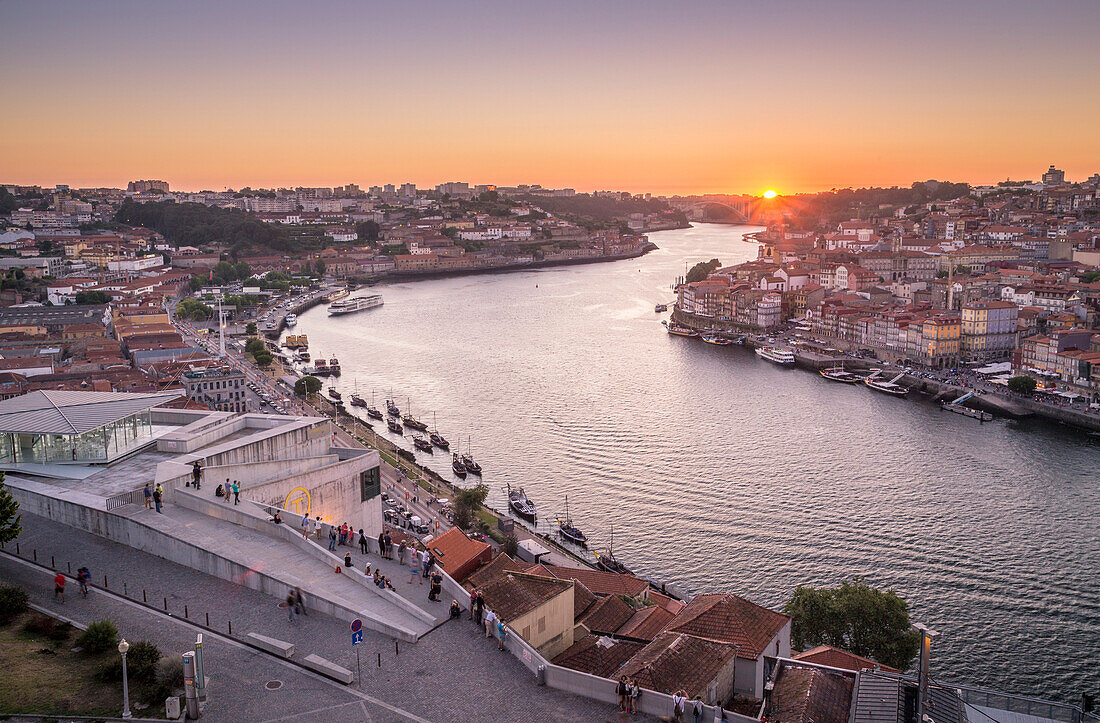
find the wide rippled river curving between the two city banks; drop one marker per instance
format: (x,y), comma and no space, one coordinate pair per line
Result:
(723,473)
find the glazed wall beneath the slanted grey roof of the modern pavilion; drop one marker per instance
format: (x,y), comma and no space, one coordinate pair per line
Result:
(101,445)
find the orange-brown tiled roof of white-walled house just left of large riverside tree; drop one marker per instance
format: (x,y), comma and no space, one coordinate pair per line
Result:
(731,619)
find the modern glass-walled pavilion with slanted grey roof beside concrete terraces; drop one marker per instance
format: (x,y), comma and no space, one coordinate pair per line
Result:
(60,428)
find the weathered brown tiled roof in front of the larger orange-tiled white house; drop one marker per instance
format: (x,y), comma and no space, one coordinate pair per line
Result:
(674,662)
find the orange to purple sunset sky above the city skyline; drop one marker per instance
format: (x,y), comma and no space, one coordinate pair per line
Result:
(664,97)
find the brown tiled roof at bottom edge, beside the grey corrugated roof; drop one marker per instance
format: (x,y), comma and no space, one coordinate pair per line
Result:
(806,695)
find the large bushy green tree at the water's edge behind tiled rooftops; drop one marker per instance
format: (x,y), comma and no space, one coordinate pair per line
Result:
(855,618)
